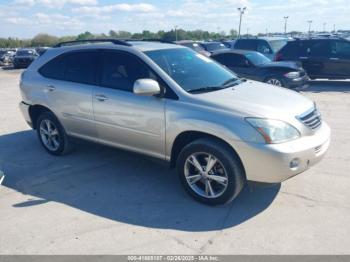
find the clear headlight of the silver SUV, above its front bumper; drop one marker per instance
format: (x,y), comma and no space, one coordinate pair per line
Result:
(274,131)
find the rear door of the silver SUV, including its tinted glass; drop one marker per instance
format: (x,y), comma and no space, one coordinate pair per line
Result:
(68,81)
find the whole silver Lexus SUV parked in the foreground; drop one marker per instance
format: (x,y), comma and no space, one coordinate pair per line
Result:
(168,102)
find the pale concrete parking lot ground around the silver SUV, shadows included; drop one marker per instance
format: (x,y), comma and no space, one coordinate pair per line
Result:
(99,200)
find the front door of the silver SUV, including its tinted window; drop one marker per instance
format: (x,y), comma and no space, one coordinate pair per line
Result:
(122,118)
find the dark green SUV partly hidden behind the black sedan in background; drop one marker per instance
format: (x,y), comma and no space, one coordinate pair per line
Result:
(267,46)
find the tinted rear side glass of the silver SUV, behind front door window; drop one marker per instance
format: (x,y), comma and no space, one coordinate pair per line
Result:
(79,67)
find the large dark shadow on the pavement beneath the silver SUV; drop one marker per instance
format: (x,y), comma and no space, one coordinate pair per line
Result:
(117,185)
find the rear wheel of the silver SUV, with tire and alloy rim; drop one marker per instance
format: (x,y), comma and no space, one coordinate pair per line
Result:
(52,134)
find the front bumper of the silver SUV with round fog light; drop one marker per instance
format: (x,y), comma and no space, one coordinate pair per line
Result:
(275,163)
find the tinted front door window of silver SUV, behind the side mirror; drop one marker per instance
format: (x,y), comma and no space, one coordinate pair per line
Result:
(121,70)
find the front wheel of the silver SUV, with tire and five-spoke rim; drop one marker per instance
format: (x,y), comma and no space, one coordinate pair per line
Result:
(210,172)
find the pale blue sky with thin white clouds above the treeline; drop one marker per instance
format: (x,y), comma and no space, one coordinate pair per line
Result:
(26,18)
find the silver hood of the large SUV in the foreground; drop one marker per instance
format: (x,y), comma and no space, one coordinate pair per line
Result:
(258,99)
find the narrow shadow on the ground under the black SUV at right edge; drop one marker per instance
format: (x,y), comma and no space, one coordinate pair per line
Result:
(319,86)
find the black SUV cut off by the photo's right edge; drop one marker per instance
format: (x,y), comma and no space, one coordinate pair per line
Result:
(321,58)
